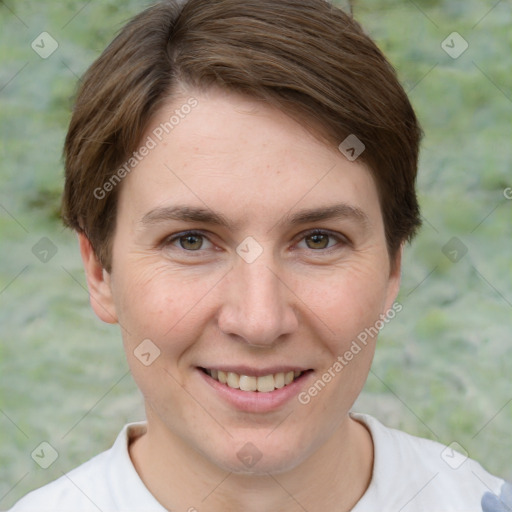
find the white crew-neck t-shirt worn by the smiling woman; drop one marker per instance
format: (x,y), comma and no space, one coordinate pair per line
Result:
(409,474)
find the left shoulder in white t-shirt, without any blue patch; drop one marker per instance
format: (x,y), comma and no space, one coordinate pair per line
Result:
(107,482)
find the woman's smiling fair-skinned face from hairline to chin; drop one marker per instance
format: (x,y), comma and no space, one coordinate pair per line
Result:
(246,250)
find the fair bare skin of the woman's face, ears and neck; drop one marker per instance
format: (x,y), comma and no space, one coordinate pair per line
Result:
(297,304)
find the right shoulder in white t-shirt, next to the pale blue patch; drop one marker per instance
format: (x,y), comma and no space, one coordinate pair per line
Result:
(415,474)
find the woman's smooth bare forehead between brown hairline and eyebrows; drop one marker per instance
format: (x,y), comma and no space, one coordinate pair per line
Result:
(233,154)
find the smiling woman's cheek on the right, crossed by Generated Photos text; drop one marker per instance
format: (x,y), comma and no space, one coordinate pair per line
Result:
(349,304)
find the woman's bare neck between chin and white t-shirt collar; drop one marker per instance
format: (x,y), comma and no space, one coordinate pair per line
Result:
(333,478)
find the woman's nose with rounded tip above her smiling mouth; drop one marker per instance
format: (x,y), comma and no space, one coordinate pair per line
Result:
(258,306)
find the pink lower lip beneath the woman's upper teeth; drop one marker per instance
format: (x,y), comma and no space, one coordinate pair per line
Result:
(255,401)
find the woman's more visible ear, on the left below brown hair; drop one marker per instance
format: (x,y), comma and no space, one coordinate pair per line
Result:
(98,282)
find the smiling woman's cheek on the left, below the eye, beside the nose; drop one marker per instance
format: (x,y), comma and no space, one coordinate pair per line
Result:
(161,305)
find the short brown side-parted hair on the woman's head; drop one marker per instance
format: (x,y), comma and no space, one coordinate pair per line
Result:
(305,57)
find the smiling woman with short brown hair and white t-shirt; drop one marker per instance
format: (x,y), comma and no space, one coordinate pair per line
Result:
(242,178)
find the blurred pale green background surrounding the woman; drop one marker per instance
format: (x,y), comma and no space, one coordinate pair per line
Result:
(443,366)
